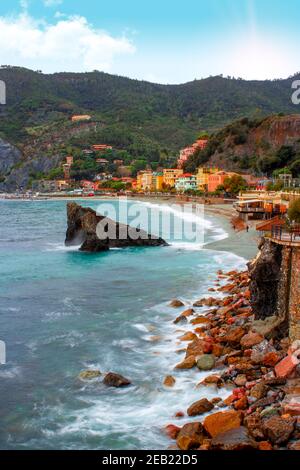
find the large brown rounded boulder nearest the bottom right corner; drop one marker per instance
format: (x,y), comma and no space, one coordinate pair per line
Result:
(278,430)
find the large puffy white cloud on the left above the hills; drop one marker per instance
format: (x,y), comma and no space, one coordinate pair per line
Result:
(70,44)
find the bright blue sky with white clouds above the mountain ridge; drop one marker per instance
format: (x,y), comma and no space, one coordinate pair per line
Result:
(162,41)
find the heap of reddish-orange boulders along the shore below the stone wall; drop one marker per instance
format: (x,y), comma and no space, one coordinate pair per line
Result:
(247,358)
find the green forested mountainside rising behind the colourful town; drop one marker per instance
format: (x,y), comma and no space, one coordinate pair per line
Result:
(149,122)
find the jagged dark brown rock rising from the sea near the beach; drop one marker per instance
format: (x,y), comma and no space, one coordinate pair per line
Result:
(96,233)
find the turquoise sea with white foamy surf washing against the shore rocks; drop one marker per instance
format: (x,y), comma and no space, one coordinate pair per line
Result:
(63,311)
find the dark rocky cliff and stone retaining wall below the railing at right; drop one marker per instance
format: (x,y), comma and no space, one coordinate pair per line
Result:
(275,288)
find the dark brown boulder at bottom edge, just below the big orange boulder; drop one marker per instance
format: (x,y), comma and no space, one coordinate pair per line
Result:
(233,439)
